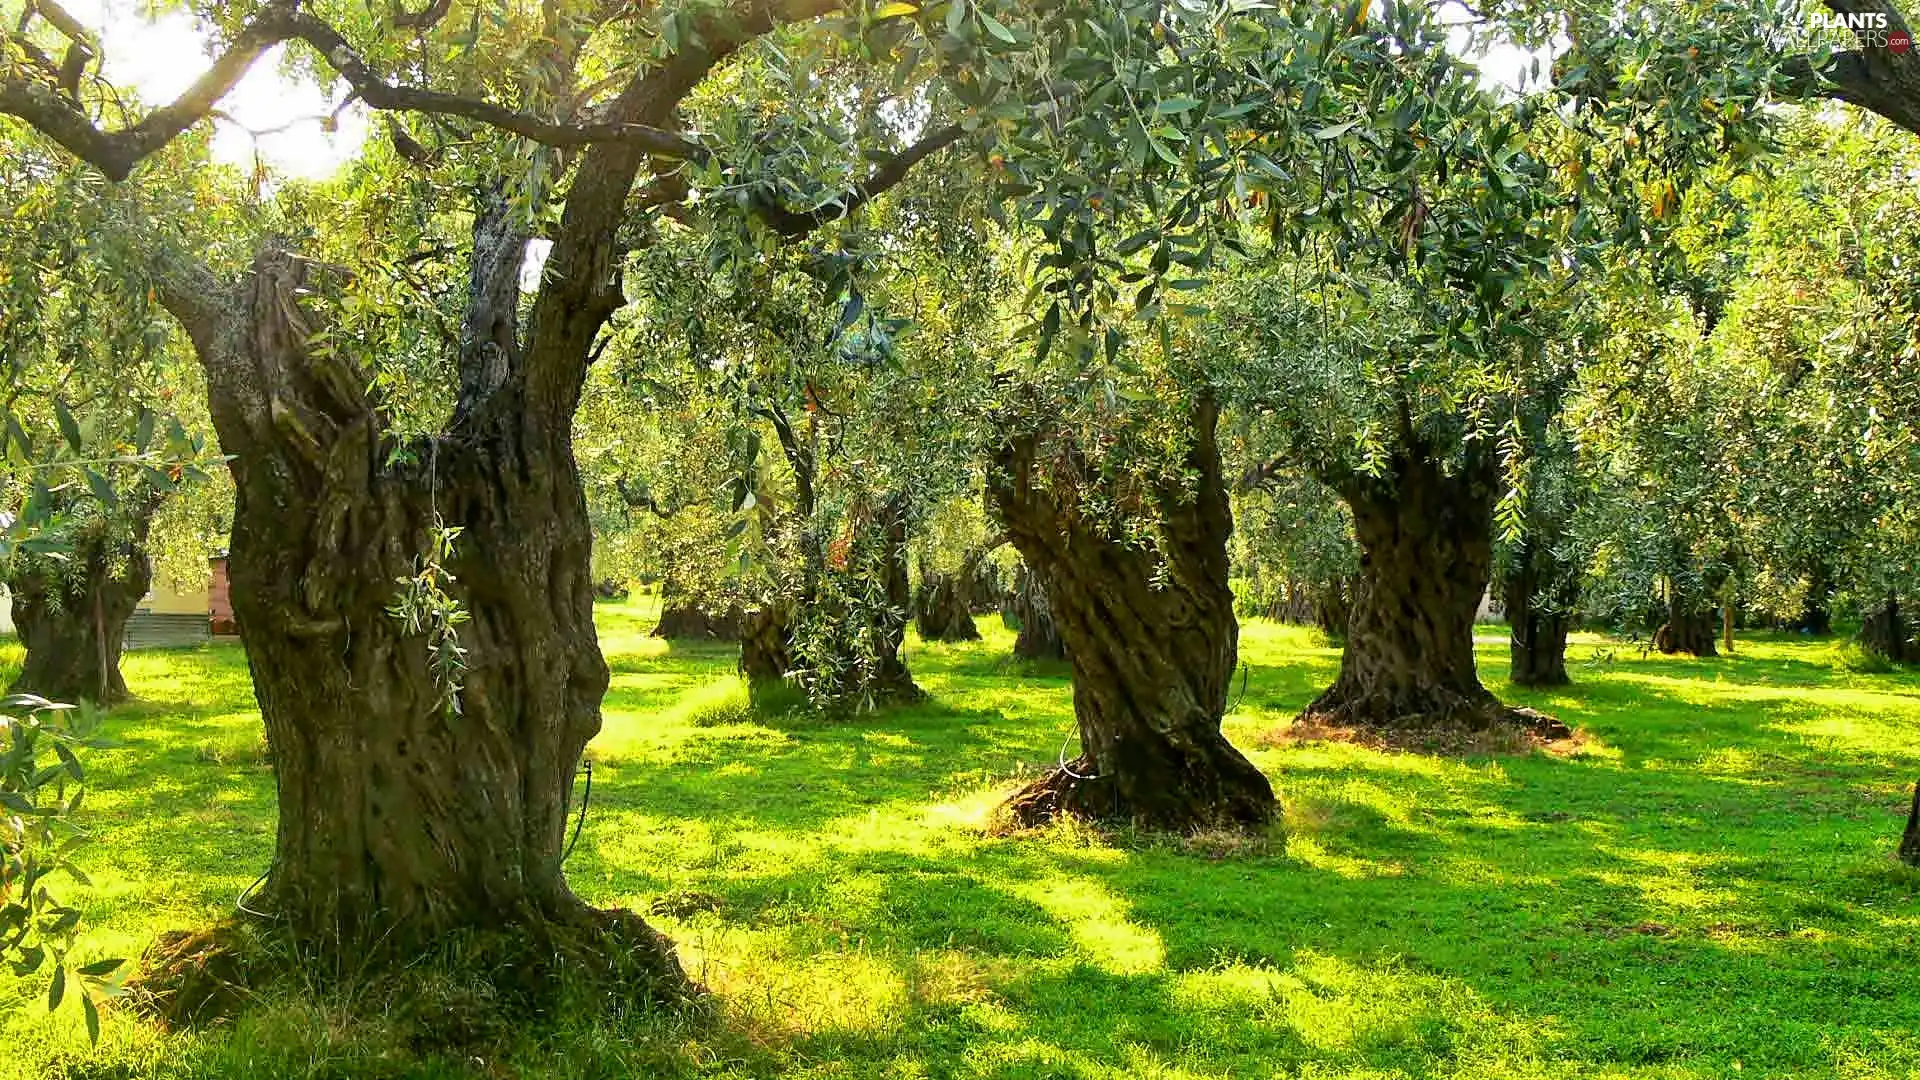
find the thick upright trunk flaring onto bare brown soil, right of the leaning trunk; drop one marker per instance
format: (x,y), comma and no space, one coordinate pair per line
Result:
(1428,552)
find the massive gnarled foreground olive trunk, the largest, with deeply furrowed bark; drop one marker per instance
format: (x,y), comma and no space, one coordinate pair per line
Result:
(410,810)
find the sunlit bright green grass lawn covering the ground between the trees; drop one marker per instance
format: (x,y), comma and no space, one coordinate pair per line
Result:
(1702,891)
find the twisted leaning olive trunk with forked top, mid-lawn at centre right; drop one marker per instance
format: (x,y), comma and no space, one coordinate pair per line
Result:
(1153,654)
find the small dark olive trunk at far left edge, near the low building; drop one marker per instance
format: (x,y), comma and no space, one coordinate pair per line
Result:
(72,614)
